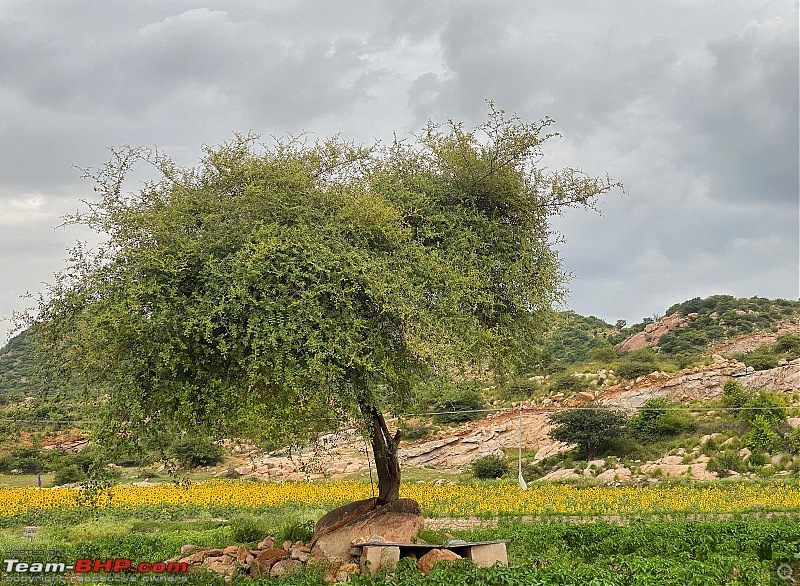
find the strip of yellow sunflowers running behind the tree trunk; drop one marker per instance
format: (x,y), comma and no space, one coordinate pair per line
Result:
(483,499)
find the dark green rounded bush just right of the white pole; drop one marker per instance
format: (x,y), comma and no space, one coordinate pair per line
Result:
(593,427)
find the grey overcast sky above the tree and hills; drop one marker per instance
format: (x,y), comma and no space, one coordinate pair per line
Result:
(693,105)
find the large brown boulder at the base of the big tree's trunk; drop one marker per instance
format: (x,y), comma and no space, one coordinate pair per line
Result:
(398,521)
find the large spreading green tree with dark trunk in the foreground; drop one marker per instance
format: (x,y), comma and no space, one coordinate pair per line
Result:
(272,291)
